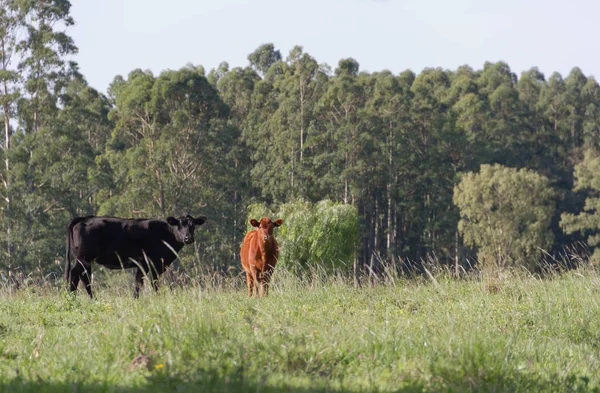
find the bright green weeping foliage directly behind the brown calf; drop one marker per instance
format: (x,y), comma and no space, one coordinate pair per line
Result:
(323,234)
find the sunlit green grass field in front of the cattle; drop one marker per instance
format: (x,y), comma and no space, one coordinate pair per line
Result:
(509,334)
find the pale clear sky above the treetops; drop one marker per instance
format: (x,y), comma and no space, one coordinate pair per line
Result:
(117,36)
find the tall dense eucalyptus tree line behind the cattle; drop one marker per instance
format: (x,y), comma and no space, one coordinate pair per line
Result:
(280,130)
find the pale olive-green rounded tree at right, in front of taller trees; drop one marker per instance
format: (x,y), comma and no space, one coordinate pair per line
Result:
(506,214)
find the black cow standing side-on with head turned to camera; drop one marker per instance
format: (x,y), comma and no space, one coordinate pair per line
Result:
(150,245)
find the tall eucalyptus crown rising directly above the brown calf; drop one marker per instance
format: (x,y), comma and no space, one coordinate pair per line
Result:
(279,124)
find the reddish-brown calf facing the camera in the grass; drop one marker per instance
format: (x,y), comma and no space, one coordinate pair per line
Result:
(259,255)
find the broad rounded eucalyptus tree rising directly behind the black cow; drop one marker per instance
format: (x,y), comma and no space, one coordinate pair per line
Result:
(166,130)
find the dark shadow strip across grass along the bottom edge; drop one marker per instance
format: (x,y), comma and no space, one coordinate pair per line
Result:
(206,381)
